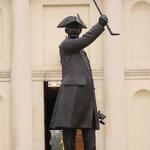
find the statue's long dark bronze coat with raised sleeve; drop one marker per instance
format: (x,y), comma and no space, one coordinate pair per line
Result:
(75,105)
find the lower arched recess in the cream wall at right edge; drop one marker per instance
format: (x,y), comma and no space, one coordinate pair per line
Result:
(141,120)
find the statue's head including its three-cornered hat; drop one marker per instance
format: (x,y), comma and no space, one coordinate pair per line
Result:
(73,26)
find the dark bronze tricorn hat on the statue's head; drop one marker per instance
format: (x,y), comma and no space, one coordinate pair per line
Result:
(71,19)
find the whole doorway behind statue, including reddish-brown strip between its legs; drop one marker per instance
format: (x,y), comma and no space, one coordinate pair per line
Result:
(50,95)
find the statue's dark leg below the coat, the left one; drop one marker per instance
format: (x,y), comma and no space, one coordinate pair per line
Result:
(69,138)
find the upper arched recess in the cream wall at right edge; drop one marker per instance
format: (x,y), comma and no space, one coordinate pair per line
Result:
(140,29)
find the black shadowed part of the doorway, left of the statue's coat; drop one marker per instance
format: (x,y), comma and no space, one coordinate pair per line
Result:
(50,94)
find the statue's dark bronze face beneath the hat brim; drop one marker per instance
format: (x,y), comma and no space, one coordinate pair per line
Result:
(73,31)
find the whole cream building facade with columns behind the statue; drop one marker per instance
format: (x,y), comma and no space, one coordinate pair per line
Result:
(29,56)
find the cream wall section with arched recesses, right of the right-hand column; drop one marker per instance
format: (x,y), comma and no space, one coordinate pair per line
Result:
(137,64)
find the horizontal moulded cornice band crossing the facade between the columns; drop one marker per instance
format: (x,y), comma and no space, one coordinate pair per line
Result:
(130,74)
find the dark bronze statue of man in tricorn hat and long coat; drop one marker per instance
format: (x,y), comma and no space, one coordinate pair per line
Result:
(75,106)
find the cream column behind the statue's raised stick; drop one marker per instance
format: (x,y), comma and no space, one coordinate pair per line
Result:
(115,129)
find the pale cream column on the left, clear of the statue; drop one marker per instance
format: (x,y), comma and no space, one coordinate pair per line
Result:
(21,77)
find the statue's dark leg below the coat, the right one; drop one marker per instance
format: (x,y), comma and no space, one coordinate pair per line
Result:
(89,139)
